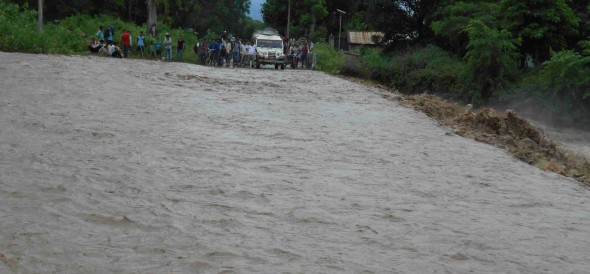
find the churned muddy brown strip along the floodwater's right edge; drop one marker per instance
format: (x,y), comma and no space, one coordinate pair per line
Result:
(563,151)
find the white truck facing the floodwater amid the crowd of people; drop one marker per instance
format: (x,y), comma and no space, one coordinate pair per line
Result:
(269,47)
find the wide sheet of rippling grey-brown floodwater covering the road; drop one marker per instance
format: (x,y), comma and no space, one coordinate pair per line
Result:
(129,166)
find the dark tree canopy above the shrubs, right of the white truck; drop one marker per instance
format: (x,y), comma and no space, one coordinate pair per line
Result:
(540,26)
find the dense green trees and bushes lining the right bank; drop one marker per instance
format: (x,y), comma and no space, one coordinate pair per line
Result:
(490,49)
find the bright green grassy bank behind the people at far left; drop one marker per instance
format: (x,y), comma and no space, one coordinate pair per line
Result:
(71,35)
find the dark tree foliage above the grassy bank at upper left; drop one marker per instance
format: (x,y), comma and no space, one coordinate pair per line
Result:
(200,15)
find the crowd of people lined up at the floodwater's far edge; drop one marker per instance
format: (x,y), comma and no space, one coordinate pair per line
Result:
(225,51)
